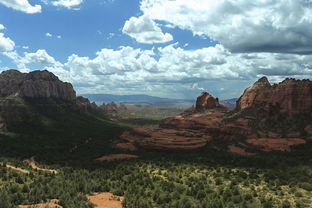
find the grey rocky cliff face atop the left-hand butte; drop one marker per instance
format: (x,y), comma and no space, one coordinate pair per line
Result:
(36,84)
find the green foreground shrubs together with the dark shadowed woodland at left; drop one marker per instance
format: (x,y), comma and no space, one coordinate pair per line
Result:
(70,143)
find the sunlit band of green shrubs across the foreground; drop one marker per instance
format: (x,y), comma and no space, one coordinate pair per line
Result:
(199,179)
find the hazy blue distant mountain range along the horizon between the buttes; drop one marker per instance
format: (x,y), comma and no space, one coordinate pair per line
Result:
(107,98)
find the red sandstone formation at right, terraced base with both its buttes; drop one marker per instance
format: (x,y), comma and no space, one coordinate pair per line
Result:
(252,127)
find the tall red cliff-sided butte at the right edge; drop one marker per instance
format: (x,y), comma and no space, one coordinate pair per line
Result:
(290,96)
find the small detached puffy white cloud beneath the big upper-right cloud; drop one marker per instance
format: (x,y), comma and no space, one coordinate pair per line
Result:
(144,30)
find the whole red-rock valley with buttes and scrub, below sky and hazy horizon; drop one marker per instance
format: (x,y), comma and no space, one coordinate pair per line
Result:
(61,150)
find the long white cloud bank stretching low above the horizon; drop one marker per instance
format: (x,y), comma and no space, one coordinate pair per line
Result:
(170,70)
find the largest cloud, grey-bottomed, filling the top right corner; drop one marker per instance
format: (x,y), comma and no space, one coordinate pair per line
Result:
(242,26)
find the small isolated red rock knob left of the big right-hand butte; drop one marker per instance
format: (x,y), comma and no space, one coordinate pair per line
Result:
(206,101)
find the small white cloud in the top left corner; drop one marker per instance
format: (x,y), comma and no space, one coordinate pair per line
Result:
(21,5)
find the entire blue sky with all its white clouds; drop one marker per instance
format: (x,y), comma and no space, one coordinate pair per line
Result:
(166,48)
